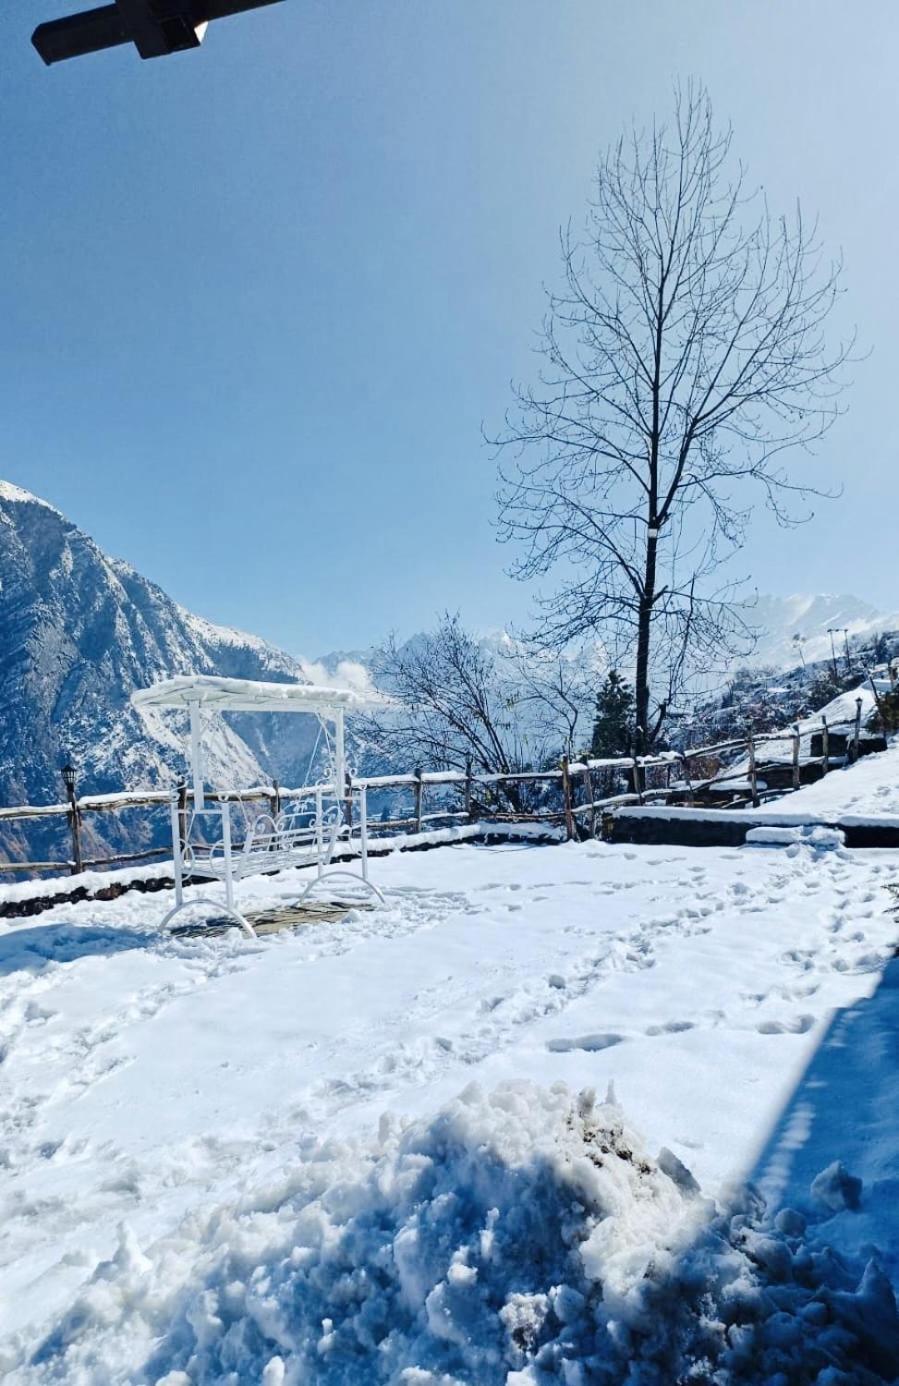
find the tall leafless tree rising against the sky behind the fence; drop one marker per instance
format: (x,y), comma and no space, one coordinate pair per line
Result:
(684,356)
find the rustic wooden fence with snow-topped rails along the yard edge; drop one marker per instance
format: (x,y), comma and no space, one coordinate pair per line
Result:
(576,781)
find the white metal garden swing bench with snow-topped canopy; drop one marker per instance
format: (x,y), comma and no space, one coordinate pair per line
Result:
(307,834)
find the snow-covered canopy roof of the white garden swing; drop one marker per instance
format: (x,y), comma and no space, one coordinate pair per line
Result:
(251,696)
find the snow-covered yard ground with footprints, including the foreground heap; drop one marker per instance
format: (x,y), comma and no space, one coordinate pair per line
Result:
(164,1104)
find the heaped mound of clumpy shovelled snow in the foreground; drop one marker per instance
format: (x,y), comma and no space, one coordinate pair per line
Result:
(517,1238)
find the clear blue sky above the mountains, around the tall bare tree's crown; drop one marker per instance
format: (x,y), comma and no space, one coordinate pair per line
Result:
(257,300)
